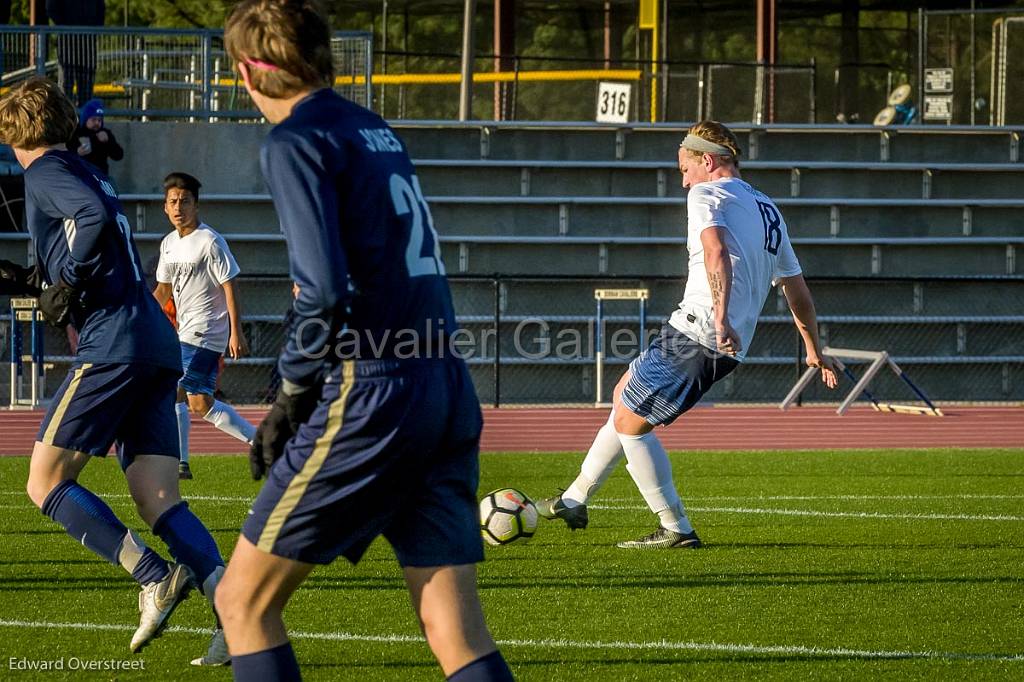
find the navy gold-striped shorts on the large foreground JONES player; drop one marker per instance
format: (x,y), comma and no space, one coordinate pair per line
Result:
(392,450)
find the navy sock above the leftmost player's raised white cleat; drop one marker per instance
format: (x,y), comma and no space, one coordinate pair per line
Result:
(91,522)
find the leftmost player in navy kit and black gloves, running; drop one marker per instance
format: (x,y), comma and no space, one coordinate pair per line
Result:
(120,389)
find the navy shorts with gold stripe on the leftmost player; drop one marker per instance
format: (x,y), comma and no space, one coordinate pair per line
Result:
(103,405)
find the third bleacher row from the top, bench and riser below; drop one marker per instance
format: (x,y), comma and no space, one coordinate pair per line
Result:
(635,217)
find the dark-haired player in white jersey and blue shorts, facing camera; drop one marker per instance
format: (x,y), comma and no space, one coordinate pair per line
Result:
(198,270)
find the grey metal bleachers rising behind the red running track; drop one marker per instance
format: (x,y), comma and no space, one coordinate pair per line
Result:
(903,214)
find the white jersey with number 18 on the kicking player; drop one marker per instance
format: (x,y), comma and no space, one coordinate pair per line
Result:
(760,250)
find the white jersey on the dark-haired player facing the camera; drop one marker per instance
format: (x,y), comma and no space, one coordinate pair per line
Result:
(197,266)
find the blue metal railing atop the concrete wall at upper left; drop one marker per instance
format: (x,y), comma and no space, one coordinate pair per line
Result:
(159,73)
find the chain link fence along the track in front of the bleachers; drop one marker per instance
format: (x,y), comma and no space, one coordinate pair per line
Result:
(534,340)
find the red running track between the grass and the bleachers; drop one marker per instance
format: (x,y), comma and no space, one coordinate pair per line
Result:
(703,429)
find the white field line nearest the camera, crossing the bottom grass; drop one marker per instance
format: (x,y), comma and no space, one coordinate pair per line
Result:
(666,646)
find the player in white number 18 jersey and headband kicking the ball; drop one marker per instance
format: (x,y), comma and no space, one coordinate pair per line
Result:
(739,246)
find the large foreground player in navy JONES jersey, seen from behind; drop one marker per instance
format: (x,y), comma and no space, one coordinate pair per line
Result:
(382,427)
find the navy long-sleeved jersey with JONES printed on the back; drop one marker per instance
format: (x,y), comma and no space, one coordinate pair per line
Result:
(361,241)
